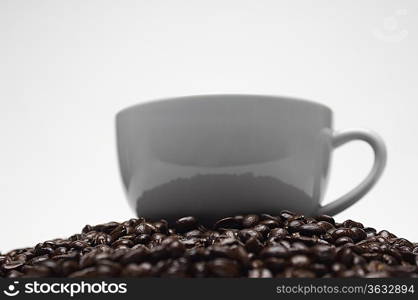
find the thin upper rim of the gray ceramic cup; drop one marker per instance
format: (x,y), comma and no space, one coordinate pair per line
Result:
(226,95)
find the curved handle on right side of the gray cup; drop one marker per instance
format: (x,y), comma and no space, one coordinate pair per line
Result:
(380,154)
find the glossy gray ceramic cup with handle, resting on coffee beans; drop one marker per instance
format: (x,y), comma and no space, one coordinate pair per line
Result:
(218,155)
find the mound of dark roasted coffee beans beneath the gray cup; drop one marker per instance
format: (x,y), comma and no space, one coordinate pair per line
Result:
(287,245)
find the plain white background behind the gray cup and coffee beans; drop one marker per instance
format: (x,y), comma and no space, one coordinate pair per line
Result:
(66,68)
